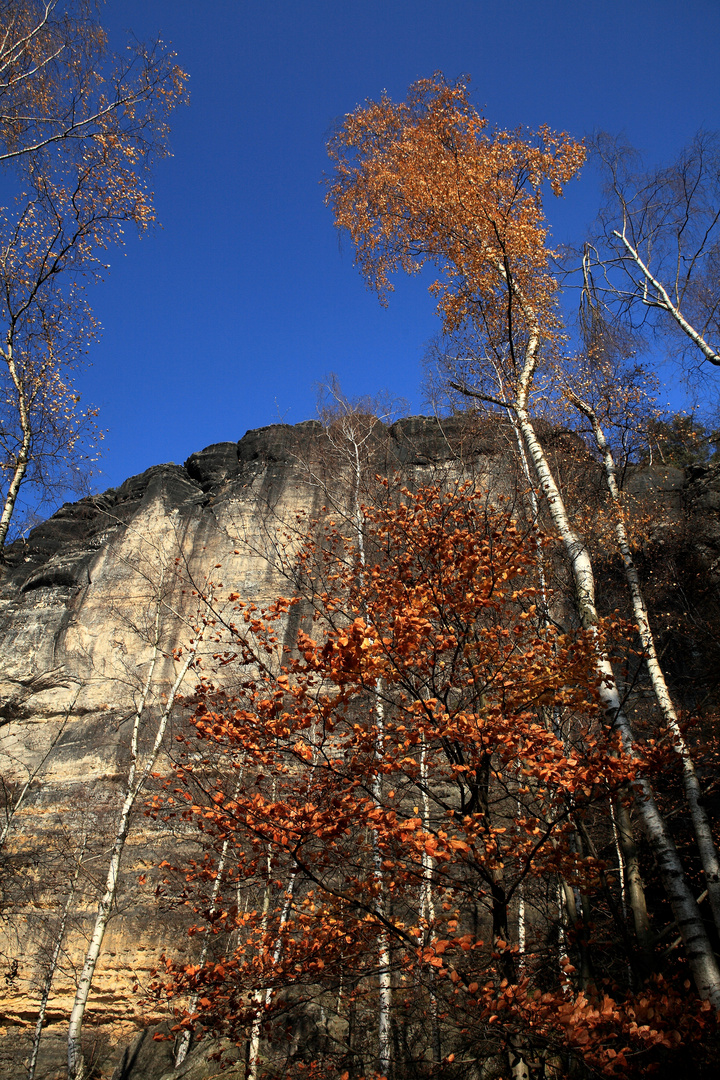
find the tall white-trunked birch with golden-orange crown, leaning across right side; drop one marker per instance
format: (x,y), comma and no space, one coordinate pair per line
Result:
(426,182)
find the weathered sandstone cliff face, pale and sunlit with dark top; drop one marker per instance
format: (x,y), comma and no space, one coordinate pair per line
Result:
(91,610)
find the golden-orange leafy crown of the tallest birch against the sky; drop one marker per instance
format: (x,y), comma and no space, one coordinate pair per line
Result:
(427,181)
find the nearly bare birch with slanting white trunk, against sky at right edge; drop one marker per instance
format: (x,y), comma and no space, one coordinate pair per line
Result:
(656,260)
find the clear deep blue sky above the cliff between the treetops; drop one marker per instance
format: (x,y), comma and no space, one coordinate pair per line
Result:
(228,317)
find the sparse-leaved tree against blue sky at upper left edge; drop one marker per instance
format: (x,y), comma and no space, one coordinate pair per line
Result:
(79,129)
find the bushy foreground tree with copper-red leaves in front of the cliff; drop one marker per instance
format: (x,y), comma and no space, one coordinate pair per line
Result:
(482,796)
